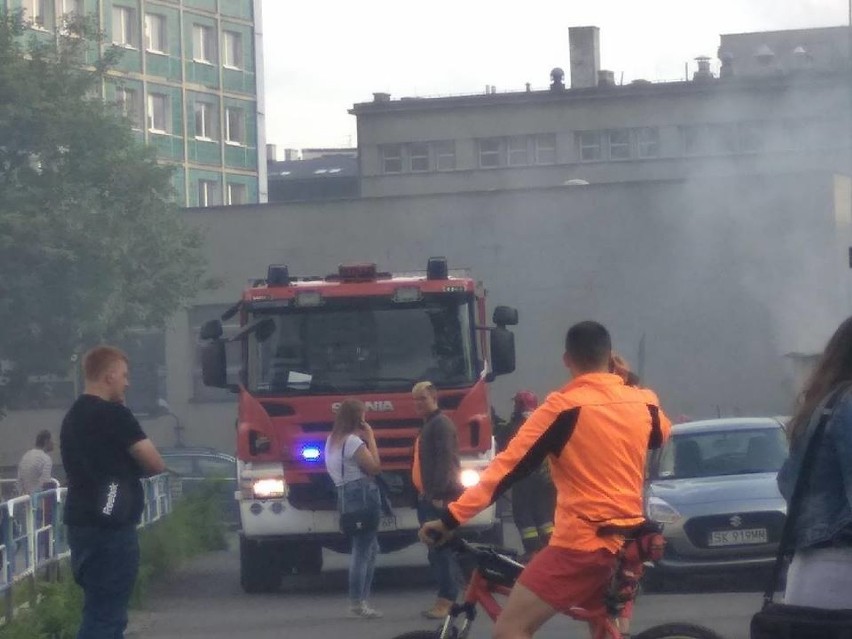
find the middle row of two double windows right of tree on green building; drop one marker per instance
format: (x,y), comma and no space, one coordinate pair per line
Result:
(206,125)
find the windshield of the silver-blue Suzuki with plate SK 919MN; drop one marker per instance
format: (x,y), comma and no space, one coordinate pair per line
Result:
(730,452)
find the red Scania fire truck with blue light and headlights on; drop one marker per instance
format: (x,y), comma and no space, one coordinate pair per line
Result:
(308,343)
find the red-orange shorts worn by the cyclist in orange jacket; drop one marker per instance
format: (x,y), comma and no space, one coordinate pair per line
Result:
(573,582)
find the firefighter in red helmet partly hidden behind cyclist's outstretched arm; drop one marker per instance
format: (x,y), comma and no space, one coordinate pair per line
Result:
(533,498)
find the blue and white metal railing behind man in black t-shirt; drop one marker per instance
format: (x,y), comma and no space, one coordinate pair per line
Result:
(33,536)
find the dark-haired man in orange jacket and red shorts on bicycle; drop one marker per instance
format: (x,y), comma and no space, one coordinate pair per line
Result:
(596,432)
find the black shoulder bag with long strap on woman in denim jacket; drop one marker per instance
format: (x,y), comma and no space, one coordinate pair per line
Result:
(783,621)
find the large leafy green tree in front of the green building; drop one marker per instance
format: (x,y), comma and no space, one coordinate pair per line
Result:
(91,239)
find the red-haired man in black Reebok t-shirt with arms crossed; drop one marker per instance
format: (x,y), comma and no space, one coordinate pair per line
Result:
(105,453)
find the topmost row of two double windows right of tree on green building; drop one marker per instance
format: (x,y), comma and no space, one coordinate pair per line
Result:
(125,33)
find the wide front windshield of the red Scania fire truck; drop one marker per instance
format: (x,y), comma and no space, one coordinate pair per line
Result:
(348,345)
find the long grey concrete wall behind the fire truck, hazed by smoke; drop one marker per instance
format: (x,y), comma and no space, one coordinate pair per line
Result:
(721,276)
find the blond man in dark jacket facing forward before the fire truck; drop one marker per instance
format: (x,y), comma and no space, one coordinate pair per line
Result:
(436,474)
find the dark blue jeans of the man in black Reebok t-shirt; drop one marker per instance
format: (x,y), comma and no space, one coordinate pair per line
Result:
(105,562)
